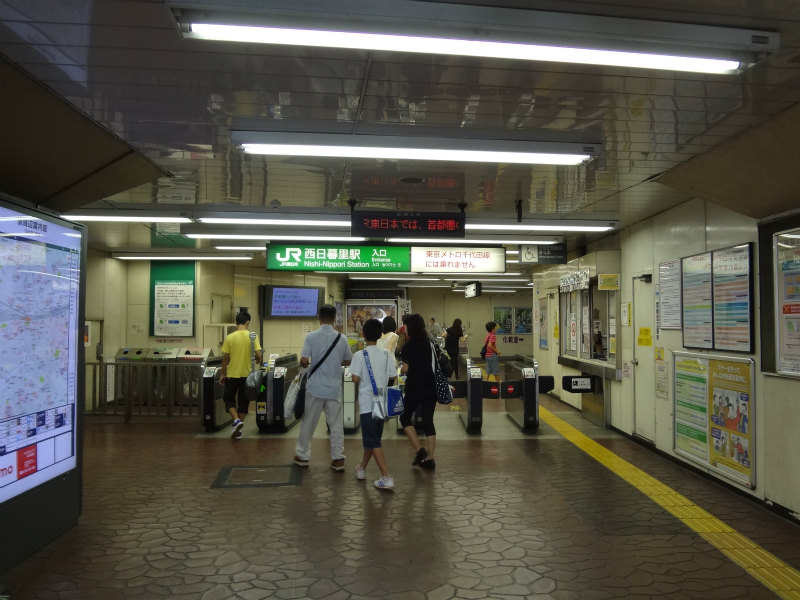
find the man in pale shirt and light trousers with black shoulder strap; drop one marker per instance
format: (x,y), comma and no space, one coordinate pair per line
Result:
(326,351)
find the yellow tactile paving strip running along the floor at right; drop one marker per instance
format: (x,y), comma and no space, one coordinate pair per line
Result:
(764,566)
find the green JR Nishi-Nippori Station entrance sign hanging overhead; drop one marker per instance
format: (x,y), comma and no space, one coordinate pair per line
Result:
(389,259)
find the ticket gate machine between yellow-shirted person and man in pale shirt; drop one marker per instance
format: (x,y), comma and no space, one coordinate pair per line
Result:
(271,393)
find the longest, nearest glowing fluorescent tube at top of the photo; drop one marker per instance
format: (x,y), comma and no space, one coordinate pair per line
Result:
(457,47)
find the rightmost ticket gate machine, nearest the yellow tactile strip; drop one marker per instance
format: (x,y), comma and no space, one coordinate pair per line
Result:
(521,393)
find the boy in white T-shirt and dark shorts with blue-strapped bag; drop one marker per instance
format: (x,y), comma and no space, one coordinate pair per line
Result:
(384,369)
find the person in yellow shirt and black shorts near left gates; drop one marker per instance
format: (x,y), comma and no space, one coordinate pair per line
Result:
(236,353)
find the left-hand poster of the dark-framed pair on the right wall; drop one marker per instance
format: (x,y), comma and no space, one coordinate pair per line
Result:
(697,301)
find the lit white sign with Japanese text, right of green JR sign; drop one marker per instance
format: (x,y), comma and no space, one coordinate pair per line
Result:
(450,259)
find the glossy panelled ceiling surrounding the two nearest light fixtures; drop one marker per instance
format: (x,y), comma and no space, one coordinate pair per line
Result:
(124,65)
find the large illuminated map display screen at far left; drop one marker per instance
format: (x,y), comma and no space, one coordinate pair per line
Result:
(40,262)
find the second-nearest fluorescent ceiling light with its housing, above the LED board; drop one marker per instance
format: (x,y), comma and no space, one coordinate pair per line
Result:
(395,147)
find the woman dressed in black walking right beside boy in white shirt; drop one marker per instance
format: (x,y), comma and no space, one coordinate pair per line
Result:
(420,393)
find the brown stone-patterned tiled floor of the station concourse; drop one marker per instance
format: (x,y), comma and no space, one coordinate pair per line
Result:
(504,515)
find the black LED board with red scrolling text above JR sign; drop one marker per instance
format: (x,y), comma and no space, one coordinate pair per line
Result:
(407,224)
